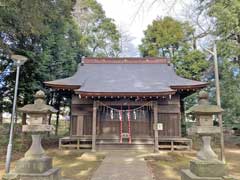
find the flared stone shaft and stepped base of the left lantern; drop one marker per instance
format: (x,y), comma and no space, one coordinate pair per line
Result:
(36,165)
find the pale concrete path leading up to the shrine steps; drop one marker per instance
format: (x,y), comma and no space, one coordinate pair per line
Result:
(123,165)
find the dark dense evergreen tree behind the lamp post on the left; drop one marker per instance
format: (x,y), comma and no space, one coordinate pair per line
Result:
(45,32)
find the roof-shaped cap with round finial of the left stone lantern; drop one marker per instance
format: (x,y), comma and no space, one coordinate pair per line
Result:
(39,106)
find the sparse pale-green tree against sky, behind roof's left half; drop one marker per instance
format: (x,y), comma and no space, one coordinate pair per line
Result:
(99,33)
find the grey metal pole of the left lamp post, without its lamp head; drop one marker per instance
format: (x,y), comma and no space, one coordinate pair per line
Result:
(13,118)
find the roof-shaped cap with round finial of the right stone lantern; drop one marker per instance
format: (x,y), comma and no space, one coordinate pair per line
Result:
(204,107)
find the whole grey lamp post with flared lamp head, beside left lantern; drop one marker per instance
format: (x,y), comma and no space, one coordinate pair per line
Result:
(18,60)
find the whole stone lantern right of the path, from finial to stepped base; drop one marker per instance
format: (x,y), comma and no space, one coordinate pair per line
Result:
(206,166)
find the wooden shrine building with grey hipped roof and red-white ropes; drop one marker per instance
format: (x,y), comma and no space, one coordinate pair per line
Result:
(126,102)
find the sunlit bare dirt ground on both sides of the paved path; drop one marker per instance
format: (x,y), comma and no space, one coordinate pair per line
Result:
(80,165)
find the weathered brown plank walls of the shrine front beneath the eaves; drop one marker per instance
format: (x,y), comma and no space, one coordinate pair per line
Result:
(168,114)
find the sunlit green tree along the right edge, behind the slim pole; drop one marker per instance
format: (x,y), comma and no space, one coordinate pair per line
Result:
(226,20)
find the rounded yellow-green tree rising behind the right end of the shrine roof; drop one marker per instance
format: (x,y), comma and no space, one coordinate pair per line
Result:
(168,37)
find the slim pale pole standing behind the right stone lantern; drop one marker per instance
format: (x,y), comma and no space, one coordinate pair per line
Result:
(222,156)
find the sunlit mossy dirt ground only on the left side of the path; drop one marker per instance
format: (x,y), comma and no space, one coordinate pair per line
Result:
(75,164)
